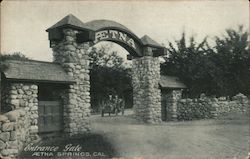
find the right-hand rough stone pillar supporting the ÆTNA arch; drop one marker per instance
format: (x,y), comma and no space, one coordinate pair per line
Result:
(146,91)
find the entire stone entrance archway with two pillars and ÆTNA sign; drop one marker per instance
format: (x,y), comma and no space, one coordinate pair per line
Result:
(70,40)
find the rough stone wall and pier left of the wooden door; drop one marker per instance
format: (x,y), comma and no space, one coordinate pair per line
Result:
(18,126)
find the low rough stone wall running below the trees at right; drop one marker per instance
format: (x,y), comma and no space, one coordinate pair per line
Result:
(205,107)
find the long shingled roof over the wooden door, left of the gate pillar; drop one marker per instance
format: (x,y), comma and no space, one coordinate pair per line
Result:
(37,71)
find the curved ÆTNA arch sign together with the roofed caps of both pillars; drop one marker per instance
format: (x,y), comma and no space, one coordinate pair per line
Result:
(105,30)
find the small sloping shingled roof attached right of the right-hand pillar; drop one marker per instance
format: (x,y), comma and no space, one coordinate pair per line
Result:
(171,82)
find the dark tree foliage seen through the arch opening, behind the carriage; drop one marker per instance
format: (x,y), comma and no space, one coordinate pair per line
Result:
(108,76)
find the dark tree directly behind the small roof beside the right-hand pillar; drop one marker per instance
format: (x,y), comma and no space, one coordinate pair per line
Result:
(190,61)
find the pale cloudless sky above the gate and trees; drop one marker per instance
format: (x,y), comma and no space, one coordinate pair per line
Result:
(23,23)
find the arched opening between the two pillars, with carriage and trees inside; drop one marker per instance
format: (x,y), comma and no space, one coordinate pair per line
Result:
(110,79)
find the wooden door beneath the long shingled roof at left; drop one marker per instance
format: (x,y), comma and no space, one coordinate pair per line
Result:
(50,116)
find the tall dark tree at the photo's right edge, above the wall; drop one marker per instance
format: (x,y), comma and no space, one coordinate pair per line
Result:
(232,56)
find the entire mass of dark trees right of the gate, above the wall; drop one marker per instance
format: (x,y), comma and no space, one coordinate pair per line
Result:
(219,70)
